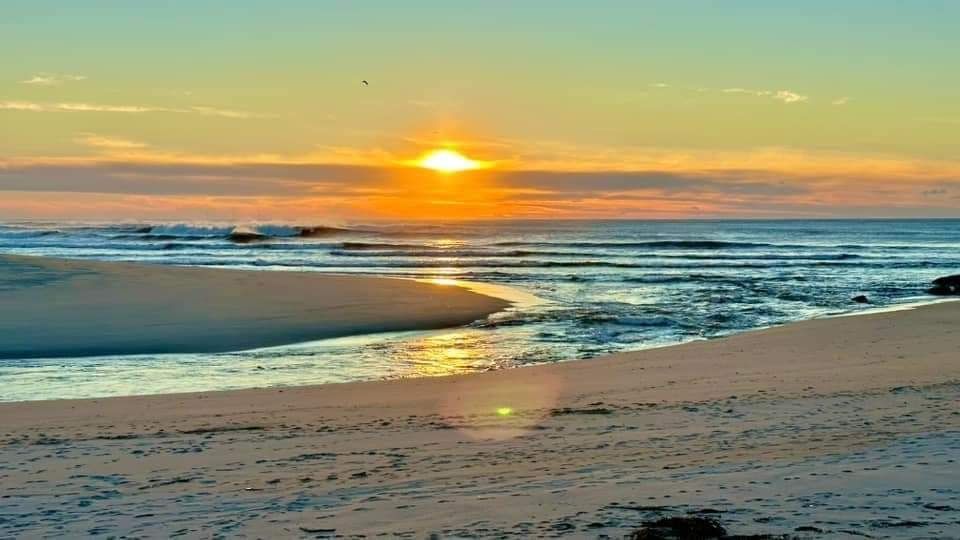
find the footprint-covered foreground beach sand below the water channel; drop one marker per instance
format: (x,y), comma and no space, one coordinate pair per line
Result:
(843,427)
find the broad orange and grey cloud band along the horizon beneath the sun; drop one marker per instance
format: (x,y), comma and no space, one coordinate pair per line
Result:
(653,183)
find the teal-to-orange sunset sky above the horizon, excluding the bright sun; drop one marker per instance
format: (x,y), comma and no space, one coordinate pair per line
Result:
(256,111)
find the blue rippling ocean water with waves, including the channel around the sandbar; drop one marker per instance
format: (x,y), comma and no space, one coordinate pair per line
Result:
(582,289)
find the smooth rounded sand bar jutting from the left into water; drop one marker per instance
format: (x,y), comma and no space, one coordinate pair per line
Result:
(61,308)
